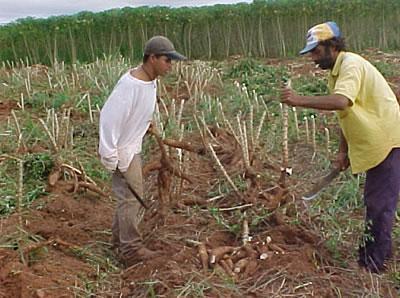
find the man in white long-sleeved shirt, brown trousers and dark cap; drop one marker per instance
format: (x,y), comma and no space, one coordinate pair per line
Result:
(124,120)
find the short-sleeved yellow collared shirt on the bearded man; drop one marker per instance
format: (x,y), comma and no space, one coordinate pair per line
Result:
(371,125)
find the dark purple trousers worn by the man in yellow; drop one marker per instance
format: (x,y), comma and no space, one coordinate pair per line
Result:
(381,194)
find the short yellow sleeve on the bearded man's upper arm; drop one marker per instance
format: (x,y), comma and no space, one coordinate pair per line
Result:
(349,80)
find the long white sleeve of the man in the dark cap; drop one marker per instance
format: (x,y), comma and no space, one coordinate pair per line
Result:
(112,118)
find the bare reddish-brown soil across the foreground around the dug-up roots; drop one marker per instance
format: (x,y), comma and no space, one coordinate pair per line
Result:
(74,230)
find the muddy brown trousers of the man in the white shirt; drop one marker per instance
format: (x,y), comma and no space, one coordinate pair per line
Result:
(128,213)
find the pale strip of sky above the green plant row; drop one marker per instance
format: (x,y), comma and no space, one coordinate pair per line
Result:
(11,10)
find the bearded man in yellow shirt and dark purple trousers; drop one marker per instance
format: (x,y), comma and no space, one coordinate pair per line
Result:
(369,117)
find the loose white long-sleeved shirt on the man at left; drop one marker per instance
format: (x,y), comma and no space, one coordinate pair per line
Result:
(124,120)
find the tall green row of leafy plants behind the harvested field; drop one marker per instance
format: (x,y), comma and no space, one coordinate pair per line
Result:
(264,28)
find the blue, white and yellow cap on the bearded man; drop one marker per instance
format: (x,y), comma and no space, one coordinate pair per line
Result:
(319,33)
